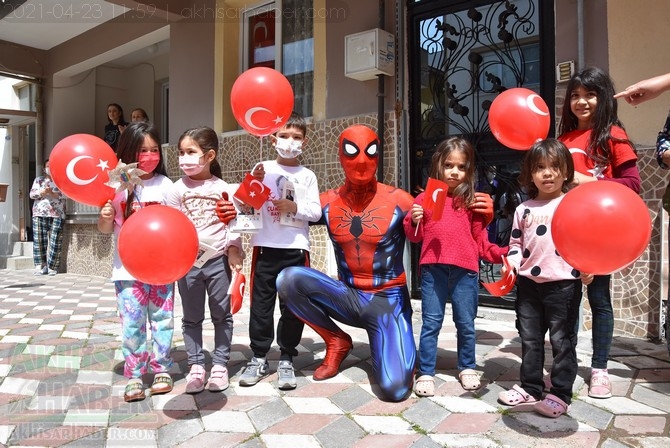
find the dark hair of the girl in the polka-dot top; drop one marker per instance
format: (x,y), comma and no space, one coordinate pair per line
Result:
(558,156)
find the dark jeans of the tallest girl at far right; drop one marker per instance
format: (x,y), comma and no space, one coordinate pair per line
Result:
(602,330)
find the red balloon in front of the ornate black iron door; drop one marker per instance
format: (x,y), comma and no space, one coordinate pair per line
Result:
(518,118)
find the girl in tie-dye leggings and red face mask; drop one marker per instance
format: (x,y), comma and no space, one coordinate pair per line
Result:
(138,301)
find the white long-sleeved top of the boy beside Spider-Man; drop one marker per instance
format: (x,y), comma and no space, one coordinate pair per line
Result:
(273,233)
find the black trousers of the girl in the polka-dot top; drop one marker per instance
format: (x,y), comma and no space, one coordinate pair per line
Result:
(553,307)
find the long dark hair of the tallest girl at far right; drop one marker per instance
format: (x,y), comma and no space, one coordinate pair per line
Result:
(605,116)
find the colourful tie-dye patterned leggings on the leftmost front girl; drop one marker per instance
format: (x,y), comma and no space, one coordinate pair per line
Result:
(138,302)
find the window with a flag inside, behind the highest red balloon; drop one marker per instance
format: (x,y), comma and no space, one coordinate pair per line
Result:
(280,35)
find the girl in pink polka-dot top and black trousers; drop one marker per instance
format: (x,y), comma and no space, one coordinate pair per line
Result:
(548,289)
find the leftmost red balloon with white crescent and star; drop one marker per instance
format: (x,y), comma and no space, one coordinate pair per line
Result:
(79,167)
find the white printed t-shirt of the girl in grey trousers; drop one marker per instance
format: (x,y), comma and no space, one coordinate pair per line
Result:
(197,200)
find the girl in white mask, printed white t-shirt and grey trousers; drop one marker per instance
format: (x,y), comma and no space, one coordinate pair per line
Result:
(196,194)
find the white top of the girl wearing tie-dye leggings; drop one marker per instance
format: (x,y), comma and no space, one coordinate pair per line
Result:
(153,191)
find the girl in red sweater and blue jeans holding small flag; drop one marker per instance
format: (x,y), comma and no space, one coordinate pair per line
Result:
(450,253)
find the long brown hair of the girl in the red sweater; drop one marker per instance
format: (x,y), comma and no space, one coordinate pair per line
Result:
(464,194)
